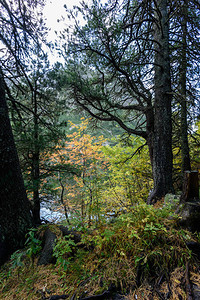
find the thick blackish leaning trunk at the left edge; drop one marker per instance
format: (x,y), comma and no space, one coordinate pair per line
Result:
(15,216)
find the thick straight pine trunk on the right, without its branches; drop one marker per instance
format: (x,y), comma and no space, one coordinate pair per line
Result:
(162,135)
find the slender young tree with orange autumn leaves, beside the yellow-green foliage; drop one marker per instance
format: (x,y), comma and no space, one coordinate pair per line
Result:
(80,190)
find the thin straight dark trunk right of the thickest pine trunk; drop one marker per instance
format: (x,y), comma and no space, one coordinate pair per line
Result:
(183,72)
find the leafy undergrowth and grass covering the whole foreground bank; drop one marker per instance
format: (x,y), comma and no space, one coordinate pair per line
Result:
(143,253)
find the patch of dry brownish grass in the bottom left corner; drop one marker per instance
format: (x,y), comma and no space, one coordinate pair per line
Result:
(30,281)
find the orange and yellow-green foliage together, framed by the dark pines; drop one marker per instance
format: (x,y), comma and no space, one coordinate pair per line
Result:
(112,178)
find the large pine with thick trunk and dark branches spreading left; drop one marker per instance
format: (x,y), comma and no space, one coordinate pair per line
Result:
(122,67)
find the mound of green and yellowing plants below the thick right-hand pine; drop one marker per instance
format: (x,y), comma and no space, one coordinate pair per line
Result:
(145,240)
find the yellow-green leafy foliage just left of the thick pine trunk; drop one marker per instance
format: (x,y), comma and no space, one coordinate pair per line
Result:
(129,177)
